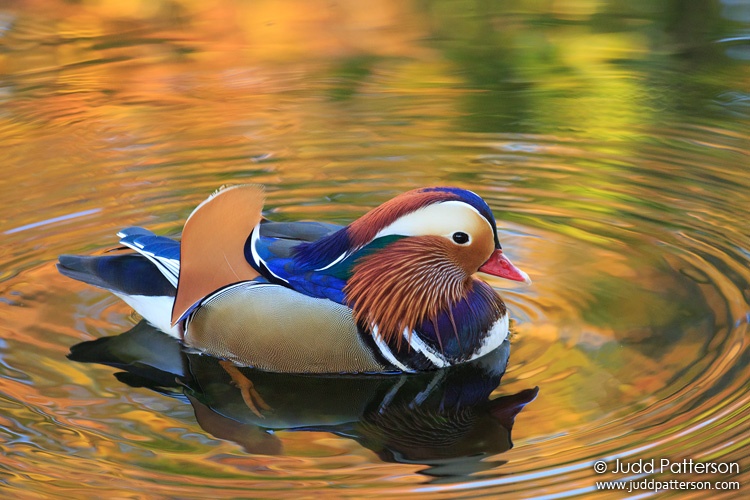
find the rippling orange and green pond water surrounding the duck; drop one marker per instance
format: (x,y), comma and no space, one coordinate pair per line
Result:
(611,139)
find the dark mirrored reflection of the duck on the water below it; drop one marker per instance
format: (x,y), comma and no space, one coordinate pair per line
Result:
(442,418)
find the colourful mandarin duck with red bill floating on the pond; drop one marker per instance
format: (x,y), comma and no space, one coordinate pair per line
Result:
(391,292)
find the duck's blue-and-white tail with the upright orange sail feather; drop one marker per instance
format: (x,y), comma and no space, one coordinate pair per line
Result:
(165,279)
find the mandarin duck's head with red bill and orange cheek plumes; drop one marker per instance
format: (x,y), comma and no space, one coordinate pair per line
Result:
(414,257)
